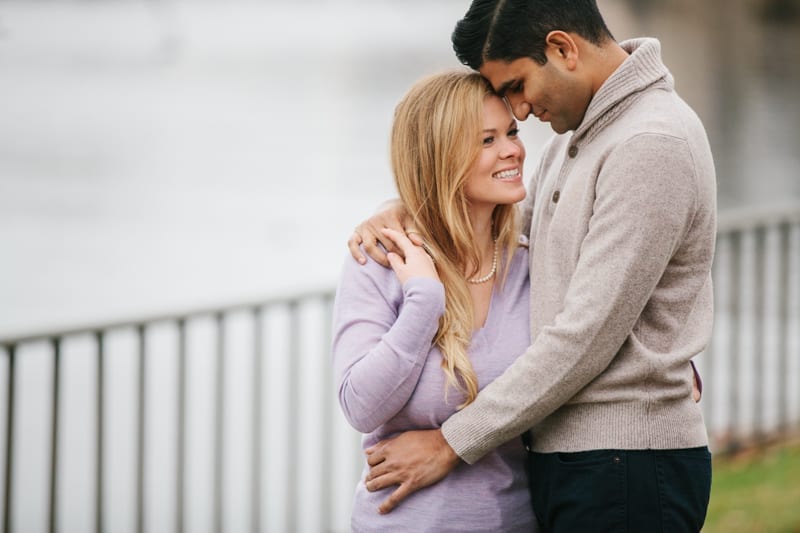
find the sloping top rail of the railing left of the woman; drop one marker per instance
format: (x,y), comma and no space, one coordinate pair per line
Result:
(153,318)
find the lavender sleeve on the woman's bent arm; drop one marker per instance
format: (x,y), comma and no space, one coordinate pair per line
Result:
(382,334)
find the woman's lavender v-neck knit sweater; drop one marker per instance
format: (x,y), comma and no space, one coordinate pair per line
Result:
(390,380)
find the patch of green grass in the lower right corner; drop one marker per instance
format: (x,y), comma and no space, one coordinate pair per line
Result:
(756,492)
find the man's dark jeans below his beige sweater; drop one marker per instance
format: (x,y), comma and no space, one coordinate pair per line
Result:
(621,490)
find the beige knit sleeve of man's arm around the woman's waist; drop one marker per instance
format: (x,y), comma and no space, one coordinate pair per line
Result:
(645,204)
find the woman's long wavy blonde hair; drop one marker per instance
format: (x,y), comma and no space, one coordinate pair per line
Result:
(435,141)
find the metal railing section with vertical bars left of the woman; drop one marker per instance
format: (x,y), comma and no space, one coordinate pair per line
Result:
(283,319)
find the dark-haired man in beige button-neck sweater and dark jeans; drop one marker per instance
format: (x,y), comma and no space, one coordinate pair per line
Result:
(621,214)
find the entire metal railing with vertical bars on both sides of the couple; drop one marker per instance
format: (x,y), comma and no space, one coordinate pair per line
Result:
(265,366)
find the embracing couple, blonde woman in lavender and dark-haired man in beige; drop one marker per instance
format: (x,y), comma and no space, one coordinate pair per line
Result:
(524,362)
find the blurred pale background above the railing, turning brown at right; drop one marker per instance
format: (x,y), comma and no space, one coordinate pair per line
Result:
(161,155)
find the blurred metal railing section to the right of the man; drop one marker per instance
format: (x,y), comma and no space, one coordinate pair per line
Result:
(752,364)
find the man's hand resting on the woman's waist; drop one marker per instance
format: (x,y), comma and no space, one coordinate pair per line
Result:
(412,460)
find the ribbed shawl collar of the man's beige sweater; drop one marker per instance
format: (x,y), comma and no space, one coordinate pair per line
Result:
(641,69)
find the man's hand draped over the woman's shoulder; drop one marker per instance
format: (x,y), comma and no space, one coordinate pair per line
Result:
(369,233)
